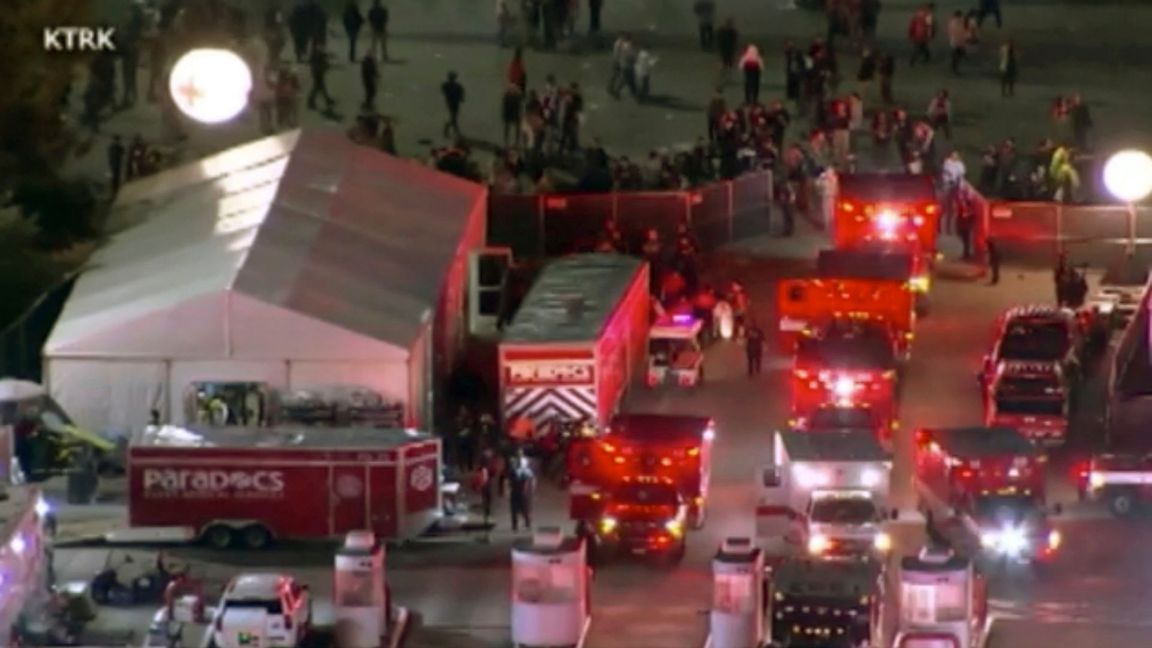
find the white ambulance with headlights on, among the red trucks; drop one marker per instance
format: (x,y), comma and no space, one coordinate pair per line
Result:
(836,486)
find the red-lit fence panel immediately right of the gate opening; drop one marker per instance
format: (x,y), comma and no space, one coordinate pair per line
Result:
(1025,233)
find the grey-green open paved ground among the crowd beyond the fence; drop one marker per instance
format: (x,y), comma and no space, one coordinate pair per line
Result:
(433,37)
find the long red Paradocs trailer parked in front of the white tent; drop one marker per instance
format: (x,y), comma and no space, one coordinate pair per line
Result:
(251,487)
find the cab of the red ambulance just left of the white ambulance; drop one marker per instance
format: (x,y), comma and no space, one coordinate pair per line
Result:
(641,516)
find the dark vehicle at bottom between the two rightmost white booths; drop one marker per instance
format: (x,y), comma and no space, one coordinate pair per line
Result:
(816,604)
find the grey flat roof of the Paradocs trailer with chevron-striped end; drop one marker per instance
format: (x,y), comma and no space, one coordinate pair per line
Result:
(573,299)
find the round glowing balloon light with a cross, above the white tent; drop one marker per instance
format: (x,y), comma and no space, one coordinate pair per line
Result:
(211,86)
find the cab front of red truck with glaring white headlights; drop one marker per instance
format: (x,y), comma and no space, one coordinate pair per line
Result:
(1015,528)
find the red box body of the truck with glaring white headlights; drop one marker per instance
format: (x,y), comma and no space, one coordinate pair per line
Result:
(956,466)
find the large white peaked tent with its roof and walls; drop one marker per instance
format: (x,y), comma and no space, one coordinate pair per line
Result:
(297,261)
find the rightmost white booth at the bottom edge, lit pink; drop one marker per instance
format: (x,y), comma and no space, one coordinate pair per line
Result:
(943,602)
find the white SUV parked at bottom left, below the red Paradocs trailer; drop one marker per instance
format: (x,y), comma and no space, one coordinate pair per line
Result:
(262,612)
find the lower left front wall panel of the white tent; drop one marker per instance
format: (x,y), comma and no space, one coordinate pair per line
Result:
(113,395)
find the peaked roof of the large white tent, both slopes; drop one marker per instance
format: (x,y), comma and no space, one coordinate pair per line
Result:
(306,222)
